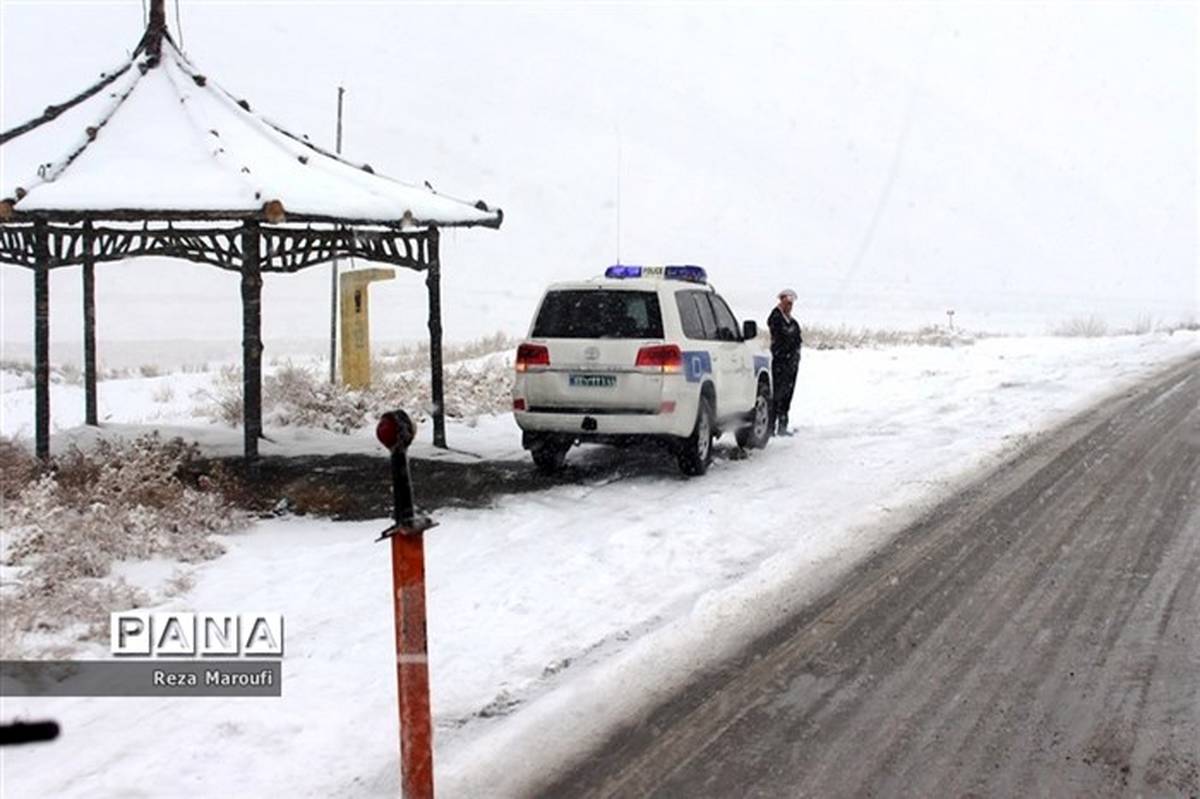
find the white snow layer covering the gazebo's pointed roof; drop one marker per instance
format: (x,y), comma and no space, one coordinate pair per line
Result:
(158,137)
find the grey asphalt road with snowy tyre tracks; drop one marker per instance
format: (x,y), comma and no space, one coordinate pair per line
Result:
(1037,635)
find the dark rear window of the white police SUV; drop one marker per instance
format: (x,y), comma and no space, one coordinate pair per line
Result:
(599,314)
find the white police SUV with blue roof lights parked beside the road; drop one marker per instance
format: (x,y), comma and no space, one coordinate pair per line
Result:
(645,353)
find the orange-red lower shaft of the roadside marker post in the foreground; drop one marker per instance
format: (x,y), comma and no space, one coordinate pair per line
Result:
(412,665)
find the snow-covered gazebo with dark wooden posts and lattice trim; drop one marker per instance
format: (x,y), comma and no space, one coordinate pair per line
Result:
(157,159)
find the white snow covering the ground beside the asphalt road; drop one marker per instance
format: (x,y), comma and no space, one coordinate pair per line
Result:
(555,617)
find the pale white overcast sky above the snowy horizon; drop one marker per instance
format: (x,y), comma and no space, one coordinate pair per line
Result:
(1021,164)
